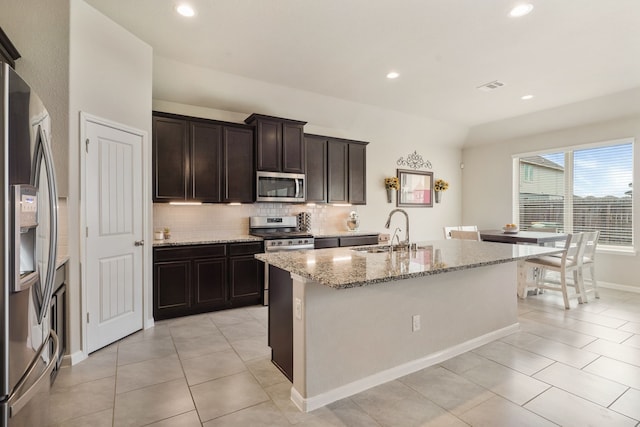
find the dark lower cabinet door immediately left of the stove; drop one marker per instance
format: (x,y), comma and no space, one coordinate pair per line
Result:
(246,280)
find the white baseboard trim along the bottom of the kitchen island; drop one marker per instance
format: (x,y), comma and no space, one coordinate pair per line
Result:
(310,403)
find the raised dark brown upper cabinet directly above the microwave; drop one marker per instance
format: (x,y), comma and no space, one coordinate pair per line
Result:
(279,143)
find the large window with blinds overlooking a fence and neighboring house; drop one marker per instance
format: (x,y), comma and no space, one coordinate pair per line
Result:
(578,189)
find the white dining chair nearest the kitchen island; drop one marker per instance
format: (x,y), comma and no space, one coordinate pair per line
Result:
(570,262)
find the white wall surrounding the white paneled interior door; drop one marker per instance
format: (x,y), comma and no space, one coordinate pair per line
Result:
(110,77)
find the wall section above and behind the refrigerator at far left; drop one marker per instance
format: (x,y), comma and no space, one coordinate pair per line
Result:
(40,31)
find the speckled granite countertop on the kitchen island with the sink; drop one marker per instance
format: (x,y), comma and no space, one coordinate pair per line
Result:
(348,267)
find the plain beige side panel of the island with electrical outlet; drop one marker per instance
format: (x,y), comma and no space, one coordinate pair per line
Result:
(352,339)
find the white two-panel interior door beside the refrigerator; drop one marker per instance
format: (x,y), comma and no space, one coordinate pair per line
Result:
(114,220)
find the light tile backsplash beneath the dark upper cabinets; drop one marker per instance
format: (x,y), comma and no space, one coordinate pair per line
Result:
(226,219)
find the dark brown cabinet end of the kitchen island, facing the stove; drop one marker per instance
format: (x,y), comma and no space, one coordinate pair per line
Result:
(281,320)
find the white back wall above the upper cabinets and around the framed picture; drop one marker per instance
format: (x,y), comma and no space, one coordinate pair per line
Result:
(391,135)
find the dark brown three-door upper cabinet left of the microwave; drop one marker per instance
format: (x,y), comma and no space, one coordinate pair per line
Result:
(201,160)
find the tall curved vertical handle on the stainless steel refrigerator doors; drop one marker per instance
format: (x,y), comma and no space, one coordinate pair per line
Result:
(43,151)
